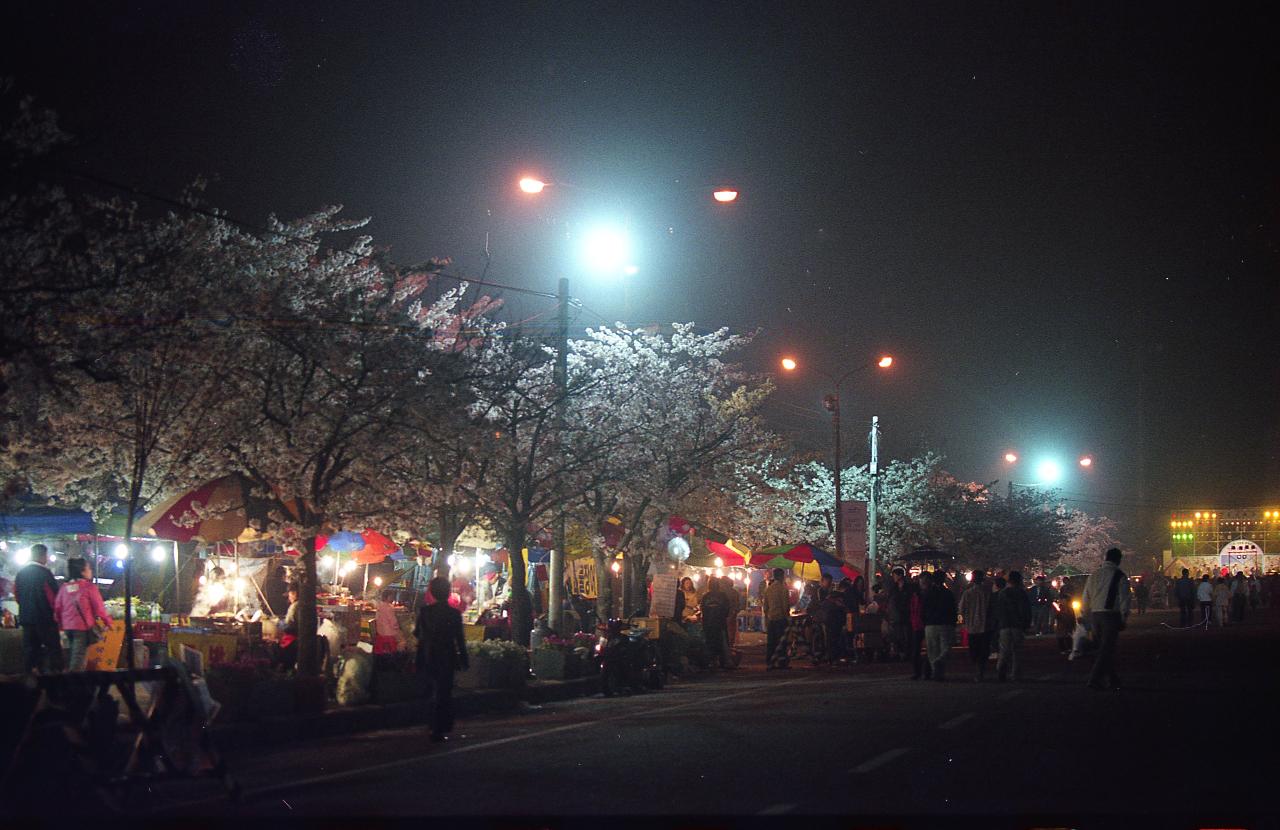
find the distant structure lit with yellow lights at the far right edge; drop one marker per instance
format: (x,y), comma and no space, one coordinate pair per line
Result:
(1210,541)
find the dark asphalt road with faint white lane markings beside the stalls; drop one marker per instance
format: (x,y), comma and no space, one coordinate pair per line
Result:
(1181,744)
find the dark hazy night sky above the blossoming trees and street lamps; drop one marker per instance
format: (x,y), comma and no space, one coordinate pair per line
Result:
(1060,218)
